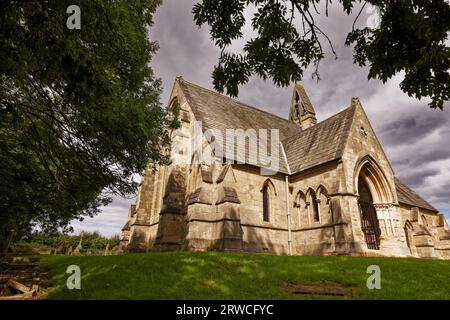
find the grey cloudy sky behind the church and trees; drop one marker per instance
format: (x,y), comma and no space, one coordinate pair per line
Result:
(415,138)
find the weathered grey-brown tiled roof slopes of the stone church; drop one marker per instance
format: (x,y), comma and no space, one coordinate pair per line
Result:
(304,148)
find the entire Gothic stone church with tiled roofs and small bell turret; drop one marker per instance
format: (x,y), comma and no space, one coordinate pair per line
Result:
(334,191)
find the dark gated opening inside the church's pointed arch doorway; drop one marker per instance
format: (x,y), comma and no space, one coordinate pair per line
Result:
(369,219)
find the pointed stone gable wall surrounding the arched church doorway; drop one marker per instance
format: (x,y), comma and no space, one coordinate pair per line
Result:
(364,158)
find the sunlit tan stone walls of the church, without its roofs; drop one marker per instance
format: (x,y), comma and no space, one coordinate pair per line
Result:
(194,205)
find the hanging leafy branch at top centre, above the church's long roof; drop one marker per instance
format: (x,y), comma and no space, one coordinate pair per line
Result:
(278,52)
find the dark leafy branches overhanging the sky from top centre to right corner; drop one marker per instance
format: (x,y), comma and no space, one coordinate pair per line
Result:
(410,39)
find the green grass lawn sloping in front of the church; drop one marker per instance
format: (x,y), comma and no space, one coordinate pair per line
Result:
(216,275)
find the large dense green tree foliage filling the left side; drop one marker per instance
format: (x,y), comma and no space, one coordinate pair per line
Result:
(79,109)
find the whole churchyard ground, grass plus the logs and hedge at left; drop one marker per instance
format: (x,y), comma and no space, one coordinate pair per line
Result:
(92,267)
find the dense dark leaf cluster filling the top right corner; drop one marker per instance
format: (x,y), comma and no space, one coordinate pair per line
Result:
(411,38)
